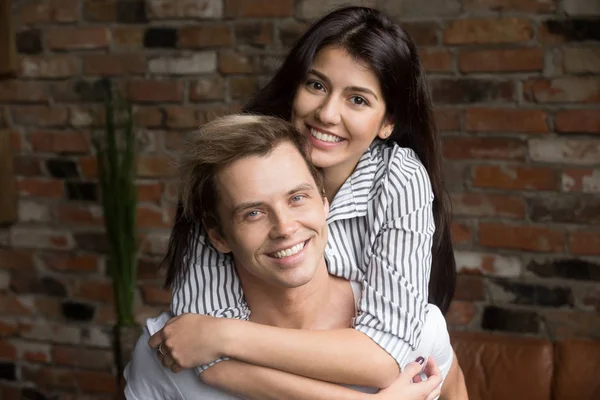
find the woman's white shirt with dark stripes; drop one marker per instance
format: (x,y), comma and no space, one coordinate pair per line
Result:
(380,234)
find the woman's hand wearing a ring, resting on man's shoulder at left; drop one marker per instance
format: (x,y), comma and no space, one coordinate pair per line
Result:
(189,340)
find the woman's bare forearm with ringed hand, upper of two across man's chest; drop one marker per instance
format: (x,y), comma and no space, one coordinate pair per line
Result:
(340,356)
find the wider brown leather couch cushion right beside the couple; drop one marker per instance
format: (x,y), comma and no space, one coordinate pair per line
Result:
(504,367)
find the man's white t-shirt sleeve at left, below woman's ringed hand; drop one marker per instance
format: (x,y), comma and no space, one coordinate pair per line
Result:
(146,378)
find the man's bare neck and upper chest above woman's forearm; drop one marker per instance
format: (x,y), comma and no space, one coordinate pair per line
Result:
(326,302)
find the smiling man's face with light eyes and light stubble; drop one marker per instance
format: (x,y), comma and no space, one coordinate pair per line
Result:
(273,218)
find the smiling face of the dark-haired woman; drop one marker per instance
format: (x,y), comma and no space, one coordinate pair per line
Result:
(341,109)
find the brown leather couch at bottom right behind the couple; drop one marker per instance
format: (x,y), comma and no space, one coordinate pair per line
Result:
(506,367)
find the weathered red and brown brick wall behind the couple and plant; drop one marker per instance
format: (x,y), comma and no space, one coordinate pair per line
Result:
(517,89)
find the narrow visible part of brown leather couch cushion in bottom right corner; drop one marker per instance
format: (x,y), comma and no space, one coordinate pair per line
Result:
(576,370)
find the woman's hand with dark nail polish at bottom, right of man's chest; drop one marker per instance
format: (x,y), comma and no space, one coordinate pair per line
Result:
(409,385)
